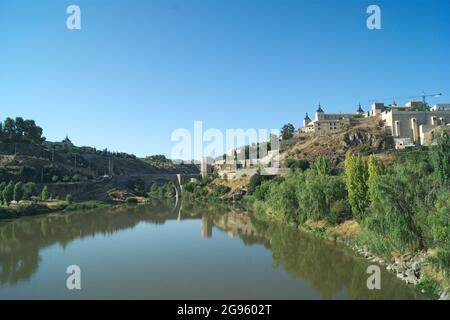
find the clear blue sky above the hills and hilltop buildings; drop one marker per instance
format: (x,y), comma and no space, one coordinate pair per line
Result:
(137,70)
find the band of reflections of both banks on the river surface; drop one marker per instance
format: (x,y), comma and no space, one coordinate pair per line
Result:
(331,270)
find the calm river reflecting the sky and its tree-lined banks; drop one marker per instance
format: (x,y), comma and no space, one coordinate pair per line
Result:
(145,252)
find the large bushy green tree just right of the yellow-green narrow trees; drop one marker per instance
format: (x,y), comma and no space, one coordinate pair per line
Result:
(402,200)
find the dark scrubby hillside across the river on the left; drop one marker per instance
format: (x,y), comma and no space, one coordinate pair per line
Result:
(63,161)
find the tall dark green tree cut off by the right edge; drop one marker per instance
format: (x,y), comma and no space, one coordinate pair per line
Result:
(441,159)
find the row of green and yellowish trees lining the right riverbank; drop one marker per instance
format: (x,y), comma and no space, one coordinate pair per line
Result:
(400,208)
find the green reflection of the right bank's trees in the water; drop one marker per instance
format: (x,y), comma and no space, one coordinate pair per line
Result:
(329,268)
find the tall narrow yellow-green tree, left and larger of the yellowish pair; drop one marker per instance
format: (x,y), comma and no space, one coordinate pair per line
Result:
(356,177)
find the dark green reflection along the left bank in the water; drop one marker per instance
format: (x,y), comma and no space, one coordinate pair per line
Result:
(21,239)
